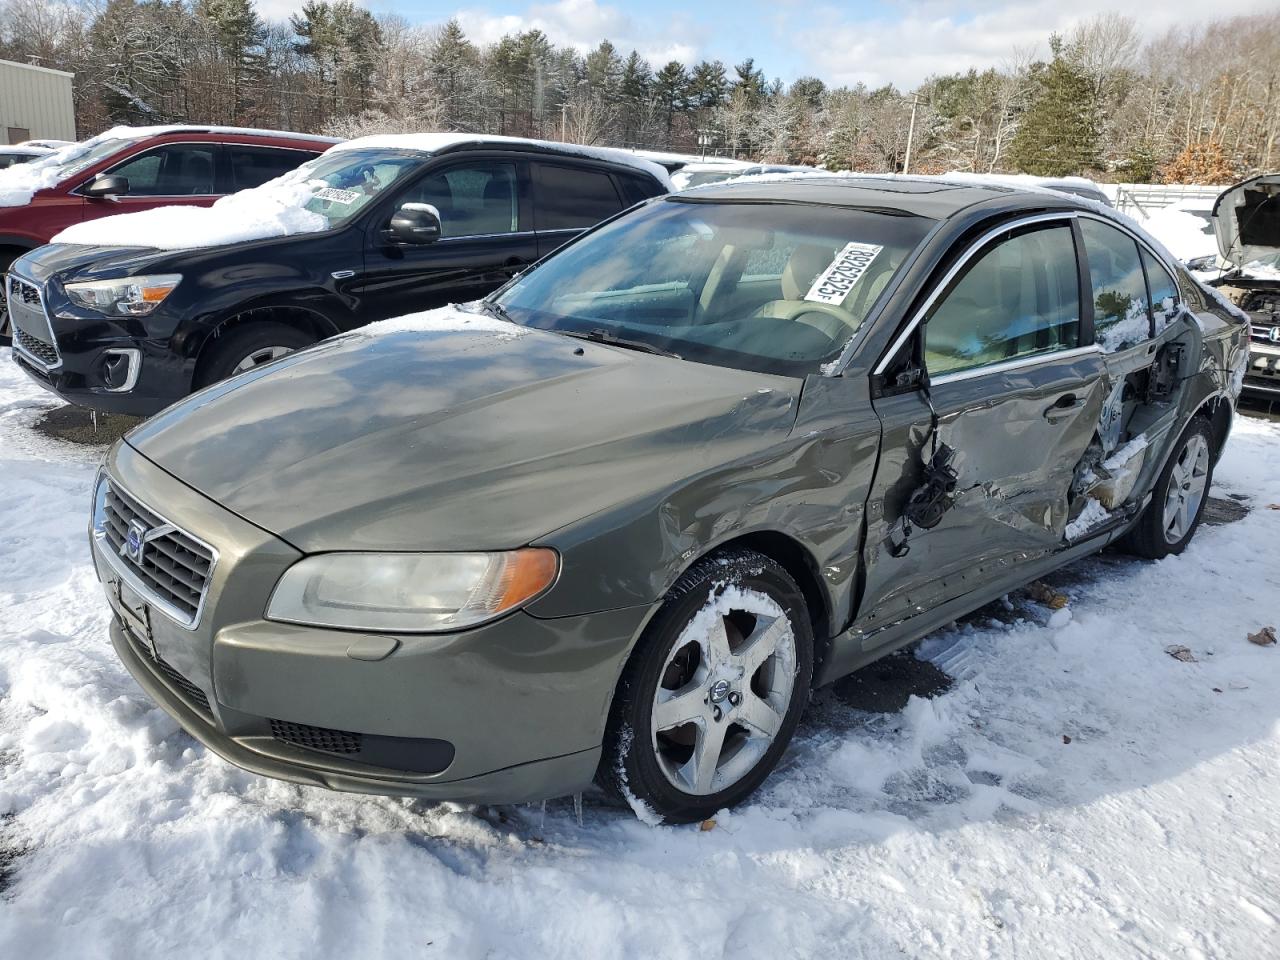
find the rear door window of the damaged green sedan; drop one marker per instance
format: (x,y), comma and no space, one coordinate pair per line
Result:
(1122,314)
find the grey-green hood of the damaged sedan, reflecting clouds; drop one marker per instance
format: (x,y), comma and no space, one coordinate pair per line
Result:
(484,437)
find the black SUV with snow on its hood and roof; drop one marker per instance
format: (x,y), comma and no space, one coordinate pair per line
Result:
(391,226)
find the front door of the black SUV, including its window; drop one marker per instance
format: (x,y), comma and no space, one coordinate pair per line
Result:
(487,239)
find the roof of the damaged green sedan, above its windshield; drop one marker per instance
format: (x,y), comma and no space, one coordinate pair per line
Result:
(922,196)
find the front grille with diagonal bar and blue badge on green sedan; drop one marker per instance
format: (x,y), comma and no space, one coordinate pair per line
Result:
(173,565)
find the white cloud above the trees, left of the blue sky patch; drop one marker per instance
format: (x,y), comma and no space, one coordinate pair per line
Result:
(584,24)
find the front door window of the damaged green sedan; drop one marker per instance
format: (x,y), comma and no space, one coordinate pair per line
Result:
(1018,299)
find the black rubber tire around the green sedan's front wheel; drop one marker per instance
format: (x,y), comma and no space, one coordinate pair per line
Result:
(633,765)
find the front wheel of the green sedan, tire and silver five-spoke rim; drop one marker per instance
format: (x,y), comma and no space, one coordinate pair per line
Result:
(714,692)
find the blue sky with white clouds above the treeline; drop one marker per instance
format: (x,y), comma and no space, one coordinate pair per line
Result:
(843,44)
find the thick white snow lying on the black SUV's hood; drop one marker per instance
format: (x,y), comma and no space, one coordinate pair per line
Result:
(276,209)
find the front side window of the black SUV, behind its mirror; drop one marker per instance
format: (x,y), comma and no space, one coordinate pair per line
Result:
(476,200)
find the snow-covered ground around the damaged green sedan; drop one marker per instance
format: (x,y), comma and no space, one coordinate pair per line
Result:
(963,826)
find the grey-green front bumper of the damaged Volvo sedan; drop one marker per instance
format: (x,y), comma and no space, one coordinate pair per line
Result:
(508,712)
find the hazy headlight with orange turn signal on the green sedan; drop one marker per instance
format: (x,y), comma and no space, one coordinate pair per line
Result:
(410,593)
